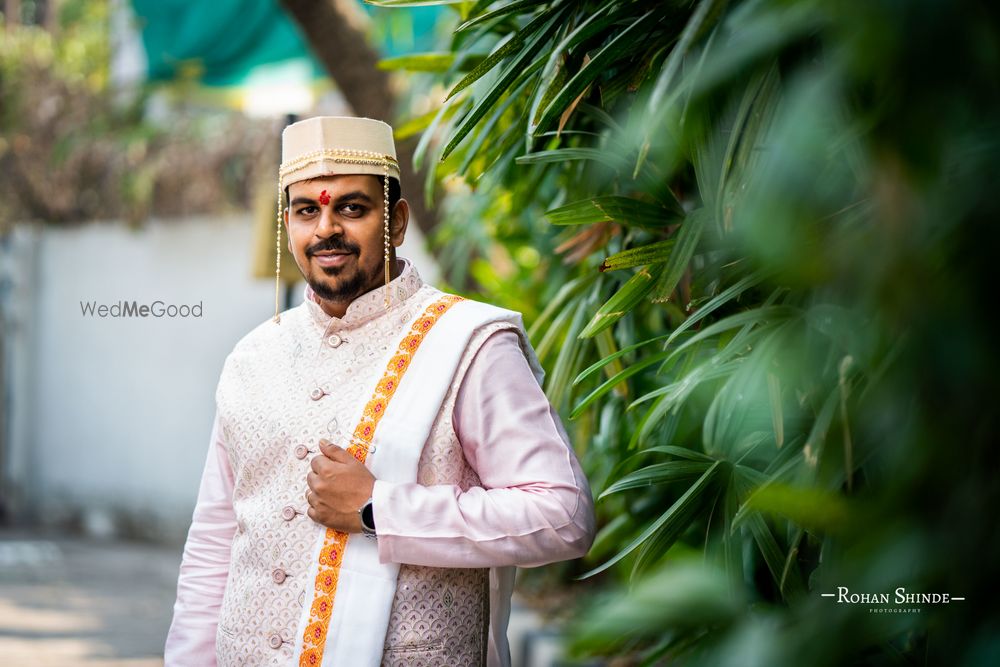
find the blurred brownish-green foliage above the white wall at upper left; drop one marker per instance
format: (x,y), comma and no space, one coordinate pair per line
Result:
(76,146)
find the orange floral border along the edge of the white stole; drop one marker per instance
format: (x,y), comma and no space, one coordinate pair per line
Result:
(331,555)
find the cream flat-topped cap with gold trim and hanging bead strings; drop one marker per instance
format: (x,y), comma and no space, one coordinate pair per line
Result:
(331,145)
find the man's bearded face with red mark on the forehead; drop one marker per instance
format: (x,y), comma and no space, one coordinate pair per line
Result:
(335,233)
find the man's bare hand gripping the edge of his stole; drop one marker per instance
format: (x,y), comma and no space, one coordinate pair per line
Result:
(338,486)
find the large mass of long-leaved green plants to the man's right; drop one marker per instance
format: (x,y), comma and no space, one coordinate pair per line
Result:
(754,241)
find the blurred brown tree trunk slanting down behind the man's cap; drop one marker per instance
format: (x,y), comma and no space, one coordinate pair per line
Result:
(335,30)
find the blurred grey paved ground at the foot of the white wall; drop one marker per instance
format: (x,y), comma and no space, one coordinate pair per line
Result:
(74,602)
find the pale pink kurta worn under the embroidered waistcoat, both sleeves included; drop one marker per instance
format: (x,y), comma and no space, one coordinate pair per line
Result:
(522,500)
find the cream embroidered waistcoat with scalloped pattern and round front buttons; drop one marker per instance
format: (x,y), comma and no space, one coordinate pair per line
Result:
(282,389)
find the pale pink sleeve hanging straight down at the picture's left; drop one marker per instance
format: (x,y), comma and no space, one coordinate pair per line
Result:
(205,564)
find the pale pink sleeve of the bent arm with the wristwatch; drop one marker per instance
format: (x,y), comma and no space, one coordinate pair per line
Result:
(535,505)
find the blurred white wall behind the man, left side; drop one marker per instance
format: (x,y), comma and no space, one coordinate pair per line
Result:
(110,417)
